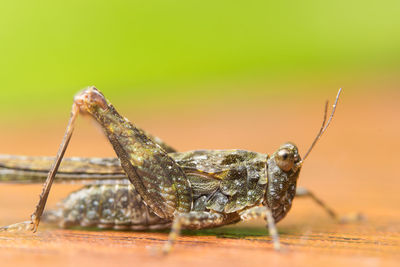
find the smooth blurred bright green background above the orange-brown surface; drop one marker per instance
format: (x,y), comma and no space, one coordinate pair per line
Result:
(163,53)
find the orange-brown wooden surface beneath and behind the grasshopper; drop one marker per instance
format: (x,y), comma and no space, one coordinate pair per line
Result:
(353,168)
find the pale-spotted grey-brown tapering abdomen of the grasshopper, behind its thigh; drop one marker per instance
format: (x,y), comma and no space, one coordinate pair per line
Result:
(114,206)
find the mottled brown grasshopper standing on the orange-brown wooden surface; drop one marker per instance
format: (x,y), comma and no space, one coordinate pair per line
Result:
(152,186)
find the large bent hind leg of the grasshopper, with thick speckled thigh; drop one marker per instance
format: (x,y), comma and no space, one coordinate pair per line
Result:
(161,182)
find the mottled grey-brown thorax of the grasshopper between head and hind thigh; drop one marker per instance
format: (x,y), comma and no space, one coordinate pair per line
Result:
(224,180)
